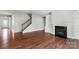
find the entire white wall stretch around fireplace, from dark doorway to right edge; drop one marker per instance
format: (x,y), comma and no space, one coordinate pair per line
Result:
(69,18)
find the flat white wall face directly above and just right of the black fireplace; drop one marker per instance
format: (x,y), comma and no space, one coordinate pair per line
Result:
(64,18)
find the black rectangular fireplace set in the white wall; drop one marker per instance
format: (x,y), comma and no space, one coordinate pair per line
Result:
(61,31)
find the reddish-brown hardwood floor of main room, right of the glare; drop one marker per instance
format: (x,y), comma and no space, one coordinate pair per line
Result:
(41,40)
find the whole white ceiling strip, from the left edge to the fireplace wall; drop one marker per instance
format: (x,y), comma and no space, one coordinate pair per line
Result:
(37,12)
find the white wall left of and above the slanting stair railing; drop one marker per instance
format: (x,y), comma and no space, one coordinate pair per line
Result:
(19,19)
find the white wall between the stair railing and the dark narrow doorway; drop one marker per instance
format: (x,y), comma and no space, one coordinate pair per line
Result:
(37,24)
